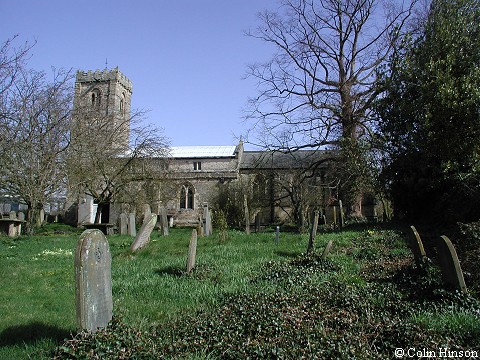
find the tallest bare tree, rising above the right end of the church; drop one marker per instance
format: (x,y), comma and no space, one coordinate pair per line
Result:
(318,88)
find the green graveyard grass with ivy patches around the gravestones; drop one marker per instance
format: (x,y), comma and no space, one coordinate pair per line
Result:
(246,297)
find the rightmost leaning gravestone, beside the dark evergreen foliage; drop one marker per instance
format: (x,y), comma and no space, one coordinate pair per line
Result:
(451,271)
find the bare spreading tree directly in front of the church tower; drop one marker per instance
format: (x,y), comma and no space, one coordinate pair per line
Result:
(113,159)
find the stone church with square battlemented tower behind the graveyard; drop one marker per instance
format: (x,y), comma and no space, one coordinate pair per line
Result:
(275,187)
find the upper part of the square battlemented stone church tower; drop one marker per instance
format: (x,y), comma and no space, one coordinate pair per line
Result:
(104,97)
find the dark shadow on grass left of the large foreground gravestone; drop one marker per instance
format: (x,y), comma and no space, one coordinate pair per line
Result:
(30,333)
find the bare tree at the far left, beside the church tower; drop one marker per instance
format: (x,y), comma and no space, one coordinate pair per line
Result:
(35,135)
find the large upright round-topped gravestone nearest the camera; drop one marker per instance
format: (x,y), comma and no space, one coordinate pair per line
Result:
(93,281)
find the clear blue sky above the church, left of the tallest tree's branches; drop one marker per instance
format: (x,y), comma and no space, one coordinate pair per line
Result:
(186,58)
